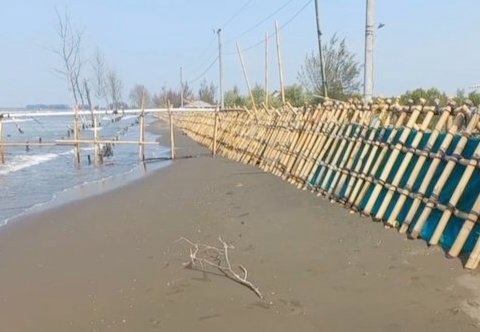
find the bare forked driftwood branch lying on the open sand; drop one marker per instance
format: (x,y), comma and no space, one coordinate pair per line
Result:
(217,257)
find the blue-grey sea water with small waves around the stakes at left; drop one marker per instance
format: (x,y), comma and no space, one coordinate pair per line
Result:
(36,177)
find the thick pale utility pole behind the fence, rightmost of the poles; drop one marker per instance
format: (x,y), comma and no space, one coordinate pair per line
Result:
(369,34)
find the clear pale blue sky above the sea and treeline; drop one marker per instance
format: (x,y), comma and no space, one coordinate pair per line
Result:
(428,43)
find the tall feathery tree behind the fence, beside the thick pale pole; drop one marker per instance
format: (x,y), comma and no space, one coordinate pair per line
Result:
(341,71)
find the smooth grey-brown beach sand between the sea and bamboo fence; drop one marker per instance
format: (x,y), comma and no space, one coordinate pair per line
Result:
(107,263)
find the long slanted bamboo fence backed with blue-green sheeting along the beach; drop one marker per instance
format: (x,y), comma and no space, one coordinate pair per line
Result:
(413,167)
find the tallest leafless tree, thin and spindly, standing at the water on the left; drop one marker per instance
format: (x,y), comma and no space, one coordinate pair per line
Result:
(69,51)
